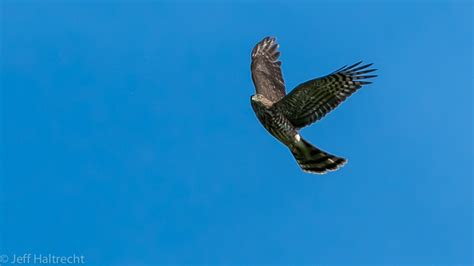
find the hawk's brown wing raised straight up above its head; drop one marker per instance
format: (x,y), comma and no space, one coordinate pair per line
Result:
(266,70)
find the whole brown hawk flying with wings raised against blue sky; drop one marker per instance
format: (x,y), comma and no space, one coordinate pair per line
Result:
(283,115)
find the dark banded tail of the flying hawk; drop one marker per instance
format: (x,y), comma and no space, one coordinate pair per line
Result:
(314,160)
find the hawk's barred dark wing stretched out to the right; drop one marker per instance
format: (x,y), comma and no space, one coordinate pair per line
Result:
(312,100)
